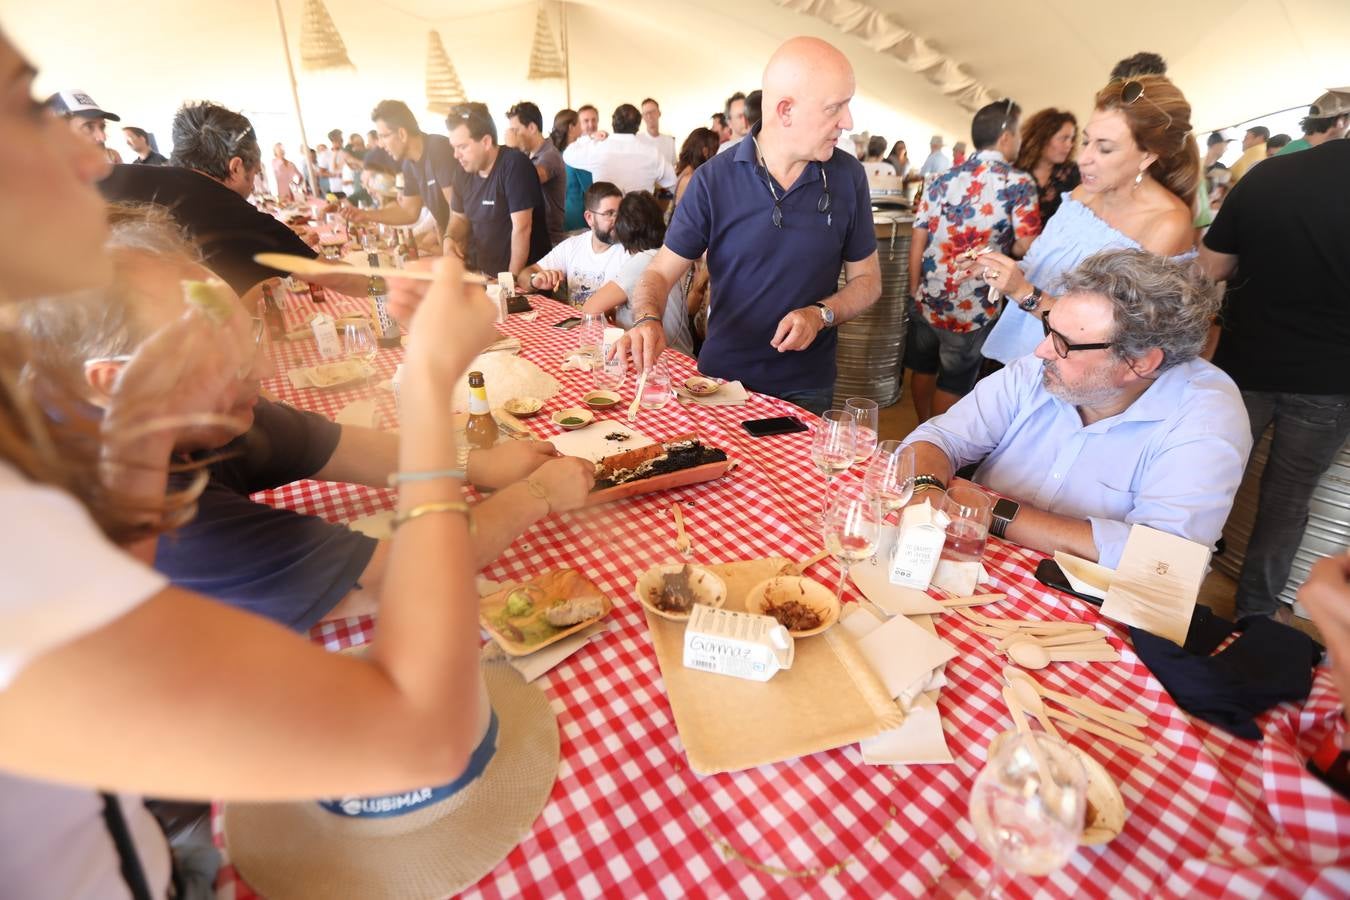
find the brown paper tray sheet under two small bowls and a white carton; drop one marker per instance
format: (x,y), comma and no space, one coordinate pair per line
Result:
(828,700)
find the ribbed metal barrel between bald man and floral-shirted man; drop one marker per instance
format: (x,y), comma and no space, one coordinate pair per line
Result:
(871,346)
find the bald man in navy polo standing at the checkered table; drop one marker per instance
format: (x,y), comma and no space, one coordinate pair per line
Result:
(778,217)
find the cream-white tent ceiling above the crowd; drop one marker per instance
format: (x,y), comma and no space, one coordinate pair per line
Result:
(1236,60)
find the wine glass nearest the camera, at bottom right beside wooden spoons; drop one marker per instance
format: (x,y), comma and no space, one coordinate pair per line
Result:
(1028,825)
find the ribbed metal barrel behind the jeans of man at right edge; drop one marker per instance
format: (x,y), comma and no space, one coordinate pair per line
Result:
(1329,519)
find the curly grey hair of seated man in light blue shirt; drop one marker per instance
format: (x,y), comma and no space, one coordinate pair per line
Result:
(1158,303)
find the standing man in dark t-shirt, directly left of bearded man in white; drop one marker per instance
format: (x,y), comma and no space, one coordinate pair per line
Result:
(502,204)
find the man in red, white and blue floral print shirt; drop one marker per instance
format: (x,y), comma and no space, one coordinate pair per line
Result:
(983,203)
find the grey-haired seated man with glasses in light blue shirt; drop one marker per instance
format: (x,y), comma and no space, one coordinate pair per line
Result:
(1113,422)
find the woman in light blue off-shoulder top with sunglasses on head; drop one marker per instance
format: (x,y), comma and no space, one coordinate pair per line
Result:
(1140,168)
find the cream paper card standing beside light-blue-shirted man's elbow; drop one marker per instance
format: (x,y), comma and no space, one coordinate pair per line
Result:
(1156,584)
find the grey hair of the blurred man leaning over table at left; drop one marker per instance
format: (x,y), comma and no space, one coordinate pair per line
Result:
(95,325)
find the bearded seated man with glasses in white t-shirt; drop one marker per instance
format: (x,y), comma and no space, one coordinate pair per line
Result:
(585,261)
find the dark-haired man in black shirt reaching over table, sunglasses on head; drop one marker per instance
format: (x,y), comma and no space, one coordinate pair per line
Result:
(206,190)
